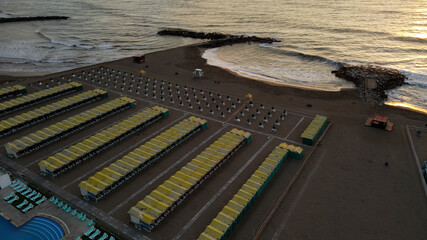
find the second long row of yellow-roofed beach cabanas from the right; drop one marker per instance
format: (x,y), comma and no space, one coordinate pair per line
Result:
(151,210)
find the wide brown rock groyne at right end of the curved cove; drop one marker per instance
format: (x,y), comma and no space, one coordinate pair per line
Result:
(371,81)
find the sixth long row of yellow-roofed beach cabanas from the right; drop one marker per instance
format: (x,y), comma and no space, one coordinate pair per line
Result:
(32,117)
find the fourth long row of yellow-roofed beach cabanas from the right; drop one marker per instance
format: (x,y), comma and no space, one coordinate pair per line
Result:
(74,155)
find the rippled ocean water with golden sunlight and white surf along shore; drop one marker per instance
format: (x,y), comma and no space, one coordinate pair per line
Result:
(316,37)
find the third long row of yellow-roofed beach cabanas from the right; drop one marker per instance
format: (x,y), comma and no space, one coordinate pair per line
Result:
(109,178)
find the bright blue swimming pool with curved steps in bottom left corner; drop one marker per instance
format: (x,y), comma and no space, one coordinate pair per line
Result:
(38,228)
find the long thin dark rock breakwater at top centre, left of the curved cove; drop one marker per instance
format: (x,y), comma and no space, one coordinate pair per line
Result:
(217,39)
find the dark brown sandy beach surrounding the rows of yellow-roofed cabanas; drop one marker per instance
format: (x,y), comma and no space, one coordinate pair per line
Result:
(345,191)
